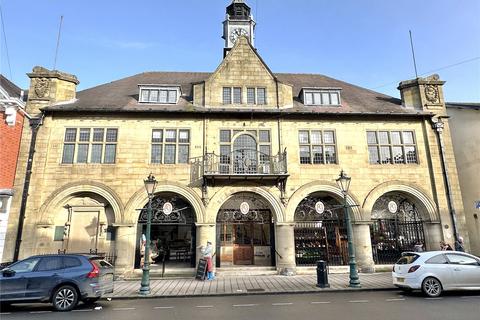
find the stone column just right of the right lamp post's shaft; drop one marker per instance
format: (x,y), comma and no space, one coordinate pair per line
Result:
(363,247)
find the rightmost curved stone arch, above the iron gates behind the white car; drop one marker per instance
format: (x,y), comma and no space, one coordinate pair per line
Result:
(428,211)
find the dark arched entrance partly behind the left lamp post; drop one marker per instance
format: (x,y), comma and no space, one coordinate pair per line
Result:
(173,232)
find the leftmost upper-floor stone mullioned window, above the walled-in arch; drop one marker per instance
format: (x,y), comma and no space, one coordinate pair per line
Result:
(90,145)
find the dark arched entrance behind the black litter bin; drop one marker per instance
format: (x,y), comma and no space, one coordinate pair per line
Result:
(320,232)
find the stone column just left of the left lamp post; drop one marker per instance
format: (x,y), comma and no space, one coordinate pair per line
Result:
(125,245)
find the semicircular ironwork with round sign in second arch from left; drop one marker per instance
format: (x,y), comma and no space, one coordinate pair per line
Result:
(168,210)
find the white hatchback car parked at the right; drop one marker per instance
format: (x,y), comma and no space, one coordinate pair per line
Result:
(436,271)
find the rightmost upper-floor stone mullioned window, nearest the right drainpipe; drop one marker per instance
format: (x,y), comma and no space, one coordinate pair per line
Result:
(392,147)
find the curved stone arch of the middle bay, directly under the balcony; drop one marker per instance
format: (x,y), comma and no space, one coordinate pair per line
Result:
(226,193)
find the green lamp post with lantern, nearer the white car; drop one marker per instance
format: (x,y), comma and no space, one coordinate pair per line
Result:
(343,182)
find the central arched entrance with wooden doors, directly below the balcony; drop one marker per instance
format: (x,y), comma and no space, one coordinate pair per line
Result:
(245,232)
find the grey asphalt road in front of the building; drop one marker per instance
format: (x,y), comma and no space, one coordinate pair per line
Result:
(390,305)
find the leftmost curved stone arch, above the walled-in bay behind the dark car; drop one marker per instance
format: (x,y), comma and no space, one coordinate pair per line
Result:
(47,210)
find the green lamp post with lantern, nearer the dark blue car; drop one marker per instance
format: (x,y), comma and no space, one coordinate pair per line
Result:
(150,185)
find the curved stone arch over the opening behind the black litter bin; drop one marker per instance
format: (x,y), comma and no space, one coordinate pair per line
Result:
(321,186)
